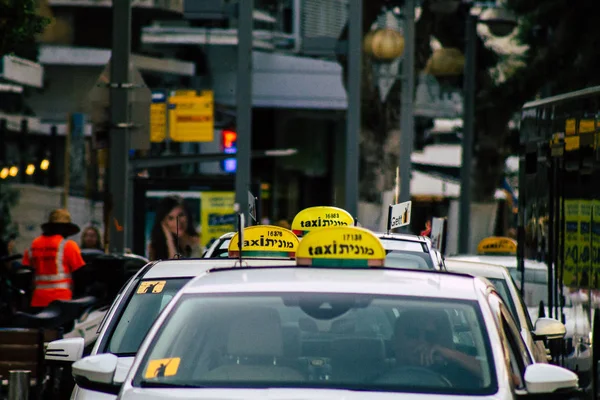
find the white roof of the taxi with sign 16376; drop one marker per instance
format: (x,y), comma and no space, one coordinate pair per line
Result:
(193,267)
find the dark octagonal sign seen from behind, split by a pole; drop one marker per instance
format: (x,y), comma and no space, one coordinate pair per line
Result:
(97,107)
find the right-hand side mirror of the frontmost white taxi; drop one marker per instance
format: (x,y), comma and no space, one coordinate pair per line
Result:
(548,378)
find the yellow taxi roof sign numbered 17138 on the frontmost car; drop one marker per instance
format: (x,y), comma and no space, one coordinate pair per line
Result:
(343,246)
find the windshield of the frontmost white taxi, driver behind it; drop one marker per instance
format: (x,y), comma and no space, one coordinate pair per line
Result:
(321,340)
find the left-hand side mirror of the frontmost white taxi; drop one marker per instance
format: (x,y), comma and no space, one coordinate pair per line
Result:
(97,373)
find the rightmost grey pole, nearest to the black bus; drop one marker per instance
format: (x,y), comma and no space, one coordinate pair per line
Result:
(464,213)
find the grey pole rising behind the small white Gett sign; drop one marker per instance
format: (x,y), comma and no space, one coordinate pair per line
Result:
(407,135)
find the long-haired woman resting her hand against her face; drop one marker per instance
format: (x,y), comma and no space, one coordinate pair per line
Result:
(173,233)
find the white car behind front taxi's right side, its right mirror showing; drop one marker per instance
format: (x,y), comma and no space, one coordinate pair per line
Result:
(506,288)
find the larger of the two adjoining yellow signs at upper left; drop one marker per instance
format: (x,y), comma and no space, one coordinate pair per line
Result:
(191,117)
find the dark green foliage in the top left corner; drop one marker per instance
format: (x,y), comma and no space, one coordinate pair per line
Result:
(19,24)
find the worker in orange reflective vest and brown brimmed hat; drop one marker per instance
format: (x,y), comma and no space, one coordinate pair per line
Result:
(53,259)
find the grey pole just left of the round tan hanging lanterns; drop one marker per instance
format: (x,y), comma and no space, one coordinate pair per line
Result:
(354,106)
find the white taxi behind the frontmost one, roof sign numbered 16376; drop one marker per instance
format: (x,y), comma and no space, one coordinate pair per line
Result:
(142,299)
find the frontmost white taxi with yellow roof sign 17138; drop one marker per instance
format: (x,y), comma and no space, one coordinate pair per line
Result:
(337,326)
